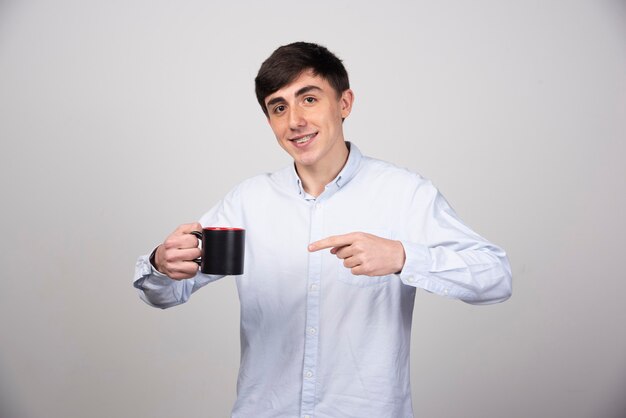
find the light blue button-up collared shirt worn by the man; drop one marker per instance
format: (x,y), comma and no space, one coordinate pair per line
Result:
(317,341)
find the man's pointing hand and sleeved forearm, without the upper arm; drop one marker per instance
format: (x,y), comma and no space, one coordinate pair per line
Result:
(479,276)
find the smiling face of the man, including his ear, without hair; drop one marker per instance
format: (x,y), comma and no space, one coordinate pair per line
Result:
(306,117)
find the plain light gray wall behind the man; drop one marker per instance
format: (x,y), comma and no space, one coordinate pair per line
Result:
(120,120)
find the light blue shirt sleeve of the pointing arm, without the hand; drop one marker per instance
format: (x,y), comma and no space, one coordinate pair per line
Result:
(444,256)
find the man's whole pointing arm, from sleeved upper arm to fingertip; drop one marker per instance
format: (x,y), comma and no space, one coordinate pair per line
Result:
(445,257)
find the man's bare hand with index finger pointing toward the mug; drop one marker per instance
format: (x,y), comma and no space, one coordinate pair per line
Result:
(365,254)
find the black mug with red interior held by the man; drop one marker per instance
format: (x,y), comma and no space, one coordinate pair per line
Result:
(222,250)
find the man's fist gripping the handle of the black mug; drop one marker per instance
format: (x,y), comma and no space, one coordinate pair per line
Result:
(175,257)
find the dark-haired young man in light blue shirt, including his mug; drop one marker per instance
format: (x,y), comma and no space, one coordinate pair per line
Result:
(326,333)
